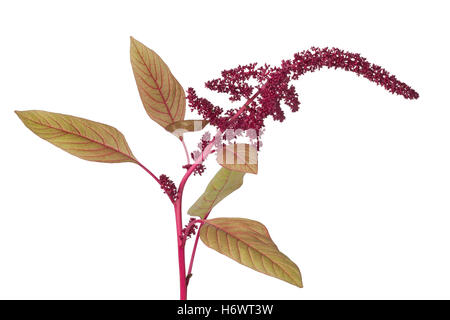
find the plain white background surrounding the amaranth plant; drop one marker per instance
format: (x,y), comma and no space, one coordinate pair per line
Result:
(354,188)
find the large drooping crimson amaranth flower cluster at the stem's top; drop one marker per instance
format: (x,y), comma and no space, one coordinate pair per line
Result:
(266,88)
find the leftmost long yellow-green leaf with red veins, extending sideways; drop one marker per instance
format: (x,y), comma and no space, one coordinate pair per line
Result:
(88,140)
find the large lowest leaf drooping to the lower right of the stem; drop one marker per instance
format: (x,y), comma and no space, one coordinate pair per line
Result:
(248,242)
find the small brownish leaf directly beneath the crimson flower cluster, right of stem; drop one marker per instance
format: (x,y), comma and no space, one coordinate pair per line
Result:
(238,157)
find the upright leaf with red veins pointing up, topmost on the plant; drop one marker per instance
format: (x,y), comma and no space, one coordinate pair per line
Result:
(161,94)
